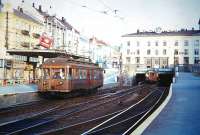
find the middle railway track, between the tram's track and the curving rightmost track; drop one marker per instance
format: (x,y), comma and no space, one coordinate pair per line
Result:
(44,119)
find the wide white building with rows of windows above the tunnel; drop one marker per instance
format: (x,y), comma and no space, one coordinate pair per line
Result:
(160,49)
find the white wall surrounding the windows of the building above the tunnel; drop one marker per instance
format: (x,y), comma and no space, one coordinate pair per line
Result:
(169,47)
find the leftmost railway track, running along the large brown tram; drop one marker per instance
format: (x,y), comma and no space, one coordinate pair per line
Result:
(21,111)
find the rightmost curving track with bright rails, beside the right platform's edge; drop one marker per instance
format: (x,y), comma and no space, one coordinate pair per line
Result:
(126,121)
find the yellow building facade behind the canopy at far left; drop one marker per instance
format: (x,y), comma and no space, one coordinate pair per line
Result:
(18,31)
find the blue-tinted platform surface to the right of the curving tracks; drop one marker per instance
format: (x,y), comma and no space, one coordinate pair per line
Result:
(181,116)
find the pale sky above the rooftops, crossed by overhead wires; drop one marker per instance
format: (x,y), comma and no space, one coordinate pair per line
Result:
(110,19)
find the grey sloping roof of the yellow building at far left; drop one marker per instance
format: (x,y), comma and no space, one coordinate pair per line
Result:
(25,16)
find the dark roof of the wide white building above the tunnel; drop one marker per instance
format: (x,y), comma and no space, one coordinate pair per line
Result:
(164,33)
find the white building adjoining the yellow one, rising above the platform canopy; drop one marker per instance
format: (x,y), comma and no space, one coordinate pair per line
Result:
(65,37)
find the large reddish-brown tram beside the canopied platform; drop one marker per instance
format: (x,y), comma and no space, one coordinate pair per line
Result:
(65,75)
